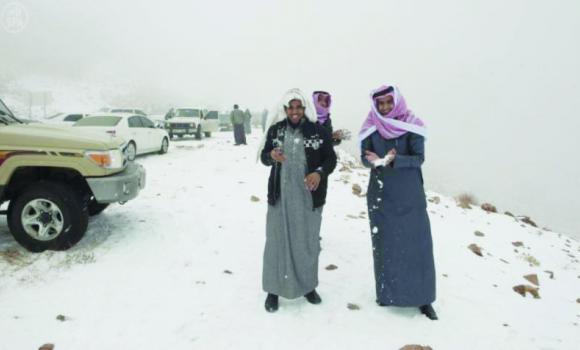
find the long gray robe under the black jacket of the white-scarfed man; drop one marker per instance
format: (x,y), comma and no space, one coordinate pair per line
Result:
(292,228)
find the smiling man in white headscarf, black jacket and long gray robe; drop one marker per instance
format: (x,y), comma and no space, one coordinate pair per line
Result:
(301,156)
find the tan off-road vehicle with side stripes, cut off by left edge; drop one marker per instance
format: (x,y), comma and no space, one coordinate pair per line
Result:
(54,178)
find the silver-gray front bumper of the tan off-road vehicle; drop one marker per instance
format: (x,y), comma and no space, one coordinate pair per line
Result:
(120,187)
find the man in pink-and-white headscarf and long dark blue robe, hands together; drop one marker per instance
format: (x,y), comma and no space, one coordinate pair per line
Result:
(392,143)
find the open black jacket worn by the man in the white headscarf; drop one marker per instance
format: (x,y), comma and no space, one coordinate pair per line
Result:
(320,157)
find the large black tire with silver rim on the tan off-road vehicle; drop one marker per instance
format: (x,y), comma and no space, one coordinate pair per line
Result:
(48,216)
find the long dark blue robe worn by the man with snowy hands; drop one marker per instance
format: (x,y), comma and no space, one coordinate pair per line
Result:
(400,228)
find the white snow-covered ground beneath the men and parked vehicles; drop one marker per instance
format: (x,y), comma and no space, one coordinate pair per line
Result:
(180,268)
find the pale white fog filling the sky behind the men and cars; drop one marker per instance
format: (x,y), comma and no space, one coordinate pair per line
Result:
(496,82)
